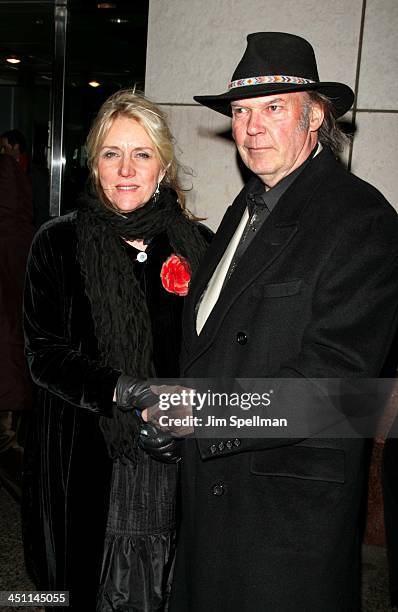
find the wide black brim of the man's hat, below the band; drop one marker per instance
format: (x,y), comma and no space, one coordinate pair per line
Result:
(341,95)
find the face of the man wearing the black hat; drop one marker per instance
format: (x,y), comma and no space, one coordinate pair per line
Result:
(275,134)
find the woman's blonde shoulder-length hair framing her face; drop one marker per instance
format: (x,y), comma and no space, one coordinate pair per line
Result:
(133,104)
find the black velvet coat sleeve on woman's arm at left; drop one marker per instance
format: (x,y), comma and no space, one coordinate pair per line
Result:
(55,359)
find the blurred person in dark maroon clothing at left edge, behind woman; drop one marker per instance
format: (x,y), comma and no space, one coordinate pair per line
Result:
(16,232)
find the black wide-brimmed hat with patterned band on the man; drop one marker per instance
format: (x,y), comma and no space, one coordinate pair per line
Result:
(277,62)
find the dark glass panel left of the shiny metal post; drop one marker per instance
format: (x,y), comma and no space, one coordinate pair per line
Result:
(26,76)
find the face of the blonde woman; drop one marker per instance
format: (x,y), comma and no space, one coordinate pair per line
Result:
(128,167)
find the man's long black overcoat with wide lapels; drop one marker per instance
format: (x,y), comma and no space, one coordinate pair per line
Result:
(315,295)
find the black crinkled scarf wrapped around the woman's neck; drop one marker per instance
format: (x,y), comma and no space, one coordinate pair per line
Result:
(121,319)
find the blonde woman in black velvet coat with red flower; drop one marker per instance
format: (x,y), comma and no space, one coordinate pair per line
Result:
(102,312)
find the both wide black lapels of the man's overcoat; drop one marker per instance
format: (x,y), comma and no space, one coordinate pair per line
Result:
(268,246)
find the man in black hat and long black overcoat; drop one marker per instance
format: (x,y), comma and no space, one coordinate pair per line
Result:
(301,280)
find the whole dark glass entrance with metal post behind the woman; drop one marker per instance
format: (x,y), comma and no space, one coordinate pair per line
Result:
(59,60)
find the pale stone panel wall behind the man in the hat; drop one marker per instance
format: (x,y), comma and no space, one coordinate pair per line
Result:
(194,46)
